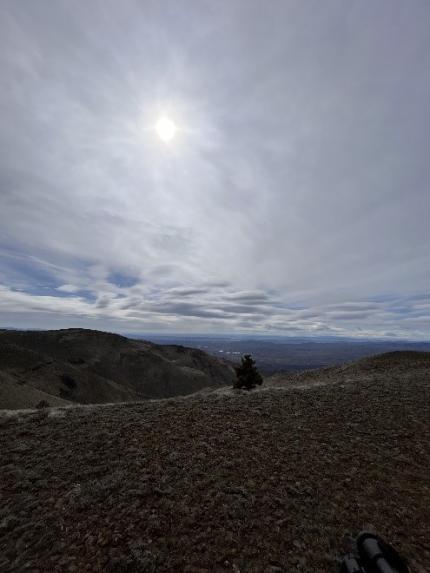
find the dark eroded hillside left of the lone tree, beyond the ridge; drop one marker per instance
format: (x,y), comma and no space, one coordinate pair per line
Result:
(89,366)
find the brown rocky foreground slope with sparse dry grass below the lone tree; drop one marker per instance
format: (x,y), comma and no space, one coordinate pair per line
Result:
(276,480)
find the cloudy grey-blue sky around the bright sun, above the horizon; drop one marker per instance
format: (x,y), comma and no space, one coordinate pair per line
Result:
(293,200)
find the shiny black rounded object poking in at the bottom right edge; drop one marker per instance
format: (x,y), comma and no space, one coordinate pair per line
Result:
(374,556)
